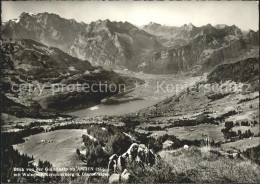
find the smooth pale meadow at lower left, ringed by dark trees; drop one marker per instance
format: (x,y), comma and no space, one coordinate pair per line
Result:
(61,152)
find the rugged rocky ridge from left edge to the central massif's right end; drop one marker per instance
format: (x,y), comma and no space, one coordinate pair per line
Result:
(109,44)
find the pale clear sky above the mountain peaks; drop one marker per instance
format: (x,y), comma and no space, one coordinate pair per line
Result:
(243,14)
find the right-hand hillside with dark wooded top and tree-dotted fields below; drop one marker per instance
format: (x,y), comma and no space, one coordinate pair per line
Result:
(223,107)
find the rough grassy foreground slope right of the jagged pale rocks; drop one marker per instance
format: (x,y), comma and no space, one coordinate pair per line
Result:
(195,165)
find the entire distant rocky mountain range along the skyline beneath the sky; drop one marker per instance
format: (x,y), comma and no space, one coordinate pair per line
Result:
(152,48)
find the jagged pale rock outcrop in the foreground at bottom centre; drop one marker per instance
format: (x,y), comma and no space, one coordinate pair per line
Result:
(136,154)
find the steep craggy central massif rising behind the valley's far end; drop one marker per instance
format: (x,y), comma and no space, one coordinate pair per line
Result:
(113,44)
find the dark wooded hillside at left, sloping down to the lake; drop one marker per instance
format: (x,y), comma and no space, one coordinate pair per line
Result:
(33,75)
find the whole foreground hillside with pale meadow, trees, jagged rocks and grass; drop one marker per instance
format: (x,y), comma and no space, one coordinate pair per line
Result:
(125,157)
